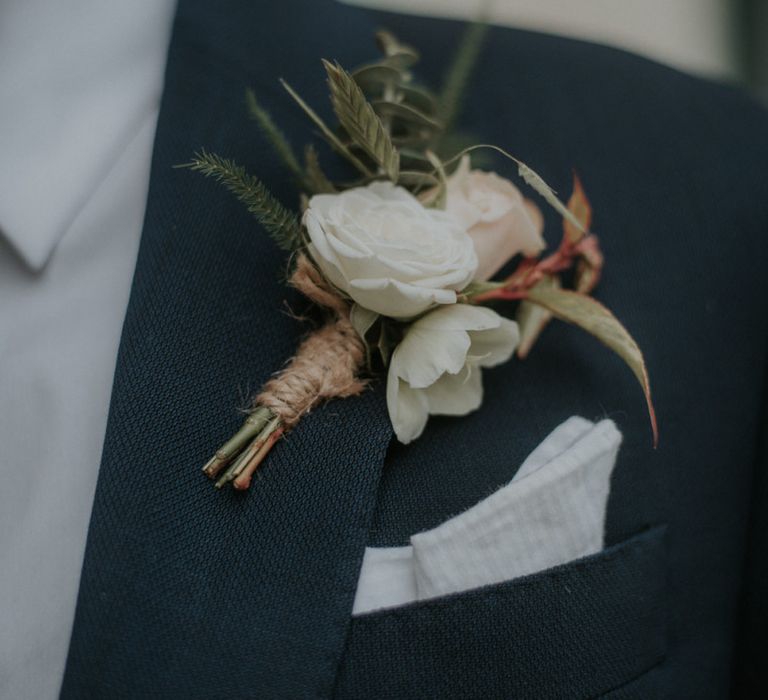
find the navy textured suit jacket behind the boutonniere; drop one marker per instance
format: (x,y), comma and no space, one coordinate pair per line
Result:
(189,593)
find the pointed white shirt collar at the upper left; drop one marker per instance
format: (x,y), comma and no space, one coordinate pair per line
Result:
(81,80)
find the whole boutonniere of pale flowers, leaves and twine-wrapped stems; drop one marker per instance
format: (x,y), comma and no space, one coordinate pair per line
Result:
(402,257)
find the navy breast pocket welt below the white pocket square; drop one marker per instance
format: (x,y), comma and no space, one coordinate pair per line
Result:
(574,631)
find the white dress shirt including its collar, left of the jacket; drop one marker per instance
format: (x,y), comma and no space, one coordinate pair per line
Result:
(80,84)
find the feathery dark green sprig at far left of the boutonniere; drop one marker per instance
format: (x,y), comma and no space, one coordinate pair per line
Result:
(281,224)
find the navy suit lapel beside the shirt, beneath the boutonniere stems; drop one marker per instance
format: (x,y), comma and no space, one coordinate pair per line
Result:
(186,592)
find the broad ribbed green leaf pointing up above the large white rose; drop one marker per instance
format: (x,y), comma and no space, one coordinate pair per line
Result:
(360,121)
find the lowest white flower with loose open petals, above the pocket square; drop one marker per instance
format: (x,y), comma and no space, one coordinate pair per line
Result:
(436,367)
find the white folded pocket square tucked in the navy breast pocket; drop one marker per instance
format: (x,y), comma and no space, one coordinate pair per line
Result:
(552,512)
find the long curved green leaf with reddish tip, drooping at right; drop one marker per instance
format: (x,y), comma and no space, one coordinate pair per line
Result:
(593,317)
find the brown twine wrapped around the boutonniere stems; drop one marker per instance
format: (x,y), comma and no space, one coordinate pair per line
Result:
(328,361)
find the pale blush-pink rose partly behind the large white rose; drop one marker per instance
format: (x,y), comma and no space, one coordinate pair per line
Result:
(500,221)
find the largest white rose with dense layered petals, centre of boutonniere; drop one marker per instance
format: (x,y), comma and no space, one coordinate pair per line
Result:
(388,252)
